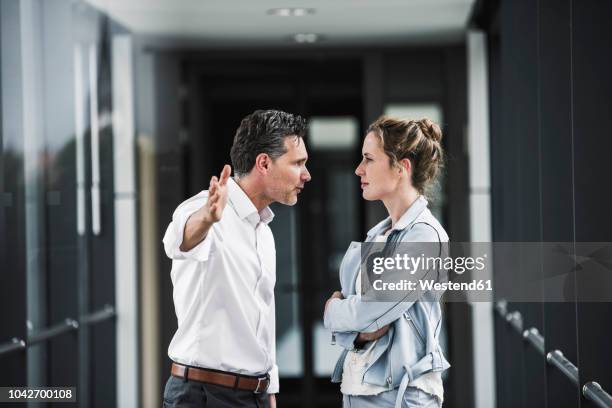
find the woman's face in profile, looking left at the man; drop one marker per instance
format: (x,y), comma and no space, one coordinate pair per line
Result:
(378,178)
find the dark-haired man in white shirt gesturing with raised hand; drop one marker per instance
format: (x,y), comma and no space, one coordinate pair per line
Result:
(224,269)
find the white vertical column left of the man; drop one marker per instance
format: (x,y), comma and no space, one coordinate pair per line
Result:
(126,279)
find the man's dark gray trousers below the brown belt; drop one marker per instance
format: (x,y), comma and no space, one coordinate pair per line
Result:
(181,393)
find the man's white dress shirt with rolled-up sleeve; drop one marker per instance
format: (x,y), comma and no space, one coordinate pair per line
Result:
(224,289)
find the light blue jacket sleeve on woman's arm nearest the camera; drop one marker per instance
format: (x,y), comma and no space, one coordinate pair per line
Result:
(353,315)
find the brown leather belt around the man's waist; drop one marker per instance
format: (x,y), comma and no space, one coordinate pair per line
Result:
(255,384)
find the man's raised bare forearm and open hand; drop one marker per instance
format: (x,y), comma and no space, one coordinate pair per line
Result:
(199,222)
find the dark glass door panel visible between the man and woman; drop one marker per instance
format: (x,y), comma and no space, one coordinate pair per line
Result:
(335,140)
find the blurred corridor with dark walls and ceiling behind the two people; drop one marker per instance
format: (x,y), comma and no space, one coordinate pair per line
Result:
(114,111)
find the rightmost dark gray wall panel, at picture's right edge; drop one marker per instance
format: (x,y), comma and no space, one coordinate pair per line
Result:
(592,93)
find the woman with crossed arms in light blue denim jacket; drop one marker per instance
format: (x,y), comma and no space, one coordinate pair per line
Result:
(392,356)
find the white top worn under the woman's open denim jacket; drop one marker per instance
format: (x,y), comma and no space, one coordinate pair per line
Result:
(356,364)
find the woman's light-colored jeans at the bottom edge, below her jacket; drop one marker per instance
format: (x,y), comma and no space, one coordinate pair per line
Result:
(413,398)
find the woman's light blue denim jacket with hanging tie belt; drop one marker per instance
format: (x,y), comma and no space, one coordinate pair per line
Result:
(410,348)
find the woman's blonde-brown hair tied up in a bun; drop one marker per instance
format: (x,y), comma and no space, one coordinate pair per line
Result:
(418,141)
